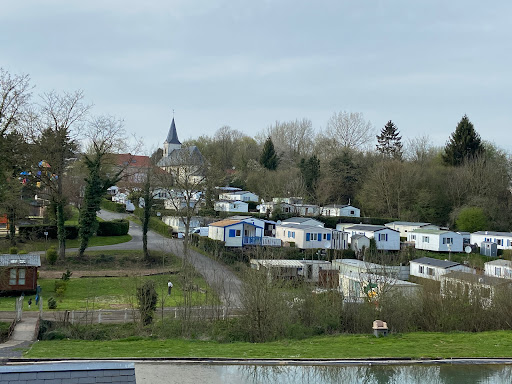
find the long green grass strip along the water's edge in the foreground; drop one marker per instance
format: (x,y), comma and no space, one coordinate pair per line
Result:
(414,345)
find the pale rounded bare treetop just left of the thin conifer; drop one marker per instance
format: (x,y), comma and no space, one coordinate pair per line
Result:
(350,130)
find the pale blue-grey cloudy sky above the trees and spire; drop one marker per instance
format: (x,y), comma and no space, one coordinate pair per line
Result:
(248,64)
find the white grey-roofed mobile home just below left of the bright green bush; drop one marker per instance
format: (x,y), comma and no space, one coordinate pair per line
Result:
(437,240)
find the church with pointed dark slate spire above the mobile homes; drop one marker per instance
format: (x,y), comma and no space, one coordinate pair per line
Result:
(185,164)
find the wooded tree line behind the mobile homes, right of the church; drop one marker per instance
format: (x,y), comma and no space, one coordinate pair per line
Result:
(464,184)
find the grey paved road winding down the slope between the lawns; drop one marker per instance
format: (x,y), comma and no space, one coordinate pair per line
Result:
(220,278)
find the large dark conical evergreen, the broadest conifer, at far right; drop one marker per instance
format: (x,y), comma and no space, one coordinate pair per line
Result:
(465,143)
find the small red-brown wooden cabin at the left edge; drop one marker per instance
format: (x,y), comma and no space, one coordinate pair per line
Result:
(19,272)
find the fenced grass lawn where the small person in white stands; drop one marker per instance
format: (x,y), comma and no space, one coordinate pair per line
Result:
(110,293)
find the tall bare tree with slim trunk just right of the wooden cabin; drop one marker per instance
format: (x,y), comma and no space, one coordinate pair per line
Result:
(58,125)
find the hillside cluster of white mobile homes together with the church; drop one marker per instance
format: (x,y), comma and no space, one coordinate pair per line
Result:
(249,221)
